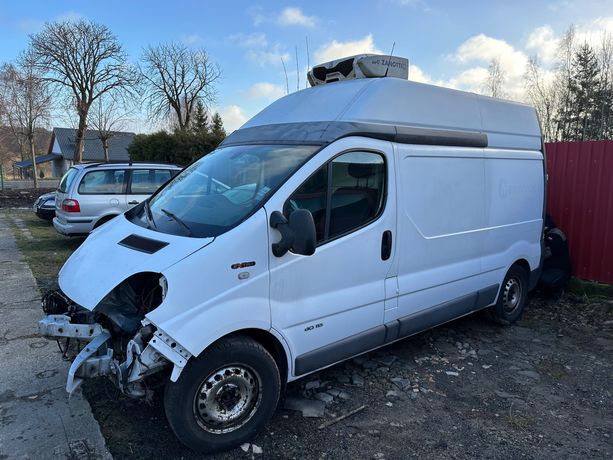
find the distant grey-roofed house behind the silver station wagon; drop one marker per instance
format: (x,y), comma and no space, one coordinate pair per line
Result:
(61,151)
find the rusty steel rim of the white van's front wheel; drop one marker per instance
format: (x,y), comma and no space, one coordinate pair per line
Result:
(227,399)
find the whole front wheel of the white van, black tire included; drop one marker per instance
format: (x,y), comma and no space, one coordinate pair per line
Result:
(194,409)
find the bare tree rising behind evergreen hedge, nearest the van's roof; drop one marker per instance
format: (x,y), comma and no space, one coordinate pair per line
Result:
(176,78)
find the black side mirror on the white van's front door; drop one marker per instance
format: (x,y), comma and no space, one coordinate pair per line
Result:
(297,234)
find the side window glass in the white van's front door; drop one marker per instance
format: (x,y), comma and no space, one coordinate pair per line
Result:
(342,195)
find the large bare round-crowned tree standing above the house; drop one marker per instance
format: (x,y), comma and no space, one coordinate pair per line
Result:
(85,59)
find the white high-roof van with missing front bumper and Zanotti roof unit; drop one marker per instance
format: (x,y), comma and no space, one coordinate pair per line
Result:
(341,218)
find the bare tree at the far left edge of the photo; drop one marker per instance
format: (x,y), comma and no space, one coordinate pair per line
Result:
(26,102)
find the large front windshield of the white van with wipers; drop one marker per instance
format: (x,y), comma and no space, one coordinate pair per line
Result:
(220,190)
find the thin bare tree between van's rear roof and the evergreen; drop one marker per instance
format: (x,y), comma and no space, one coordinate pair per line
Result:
(542,93)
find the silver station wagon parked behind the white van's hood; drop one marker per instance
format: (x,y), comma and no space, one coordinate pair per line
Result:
(91,194)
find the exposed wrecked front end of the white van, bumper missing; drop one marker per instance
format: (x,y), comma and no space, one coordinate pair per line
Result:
(115,340)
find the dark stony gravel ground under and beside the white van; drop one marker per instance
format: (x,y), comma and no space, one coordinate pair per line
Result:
(469,389)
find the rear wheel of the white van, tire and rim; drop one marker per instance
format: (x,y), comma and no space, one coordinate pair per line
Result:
(512,298)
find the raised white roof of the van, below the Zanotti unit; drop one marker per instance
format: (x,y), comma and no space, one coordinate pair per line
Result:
(388,107)
